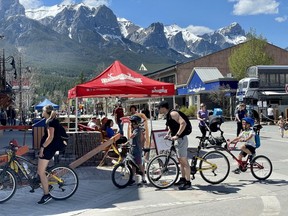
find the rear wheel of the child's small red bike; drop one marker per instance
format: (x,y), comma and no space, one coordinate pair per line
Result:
(261,167)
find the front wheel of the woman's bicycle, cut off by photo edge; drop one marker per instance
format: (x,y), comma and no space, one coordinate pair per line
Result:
(7,185)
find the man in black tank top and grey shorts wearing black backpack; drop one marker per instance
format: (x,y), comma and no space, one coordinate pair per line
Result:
(178,129)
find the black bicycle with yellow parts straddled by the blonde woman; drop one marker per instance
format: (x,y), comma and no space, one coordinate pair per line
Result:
(62,180)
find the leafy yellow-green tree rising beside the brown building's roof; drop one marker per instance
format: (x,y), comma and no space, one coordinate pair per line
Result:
(248,54)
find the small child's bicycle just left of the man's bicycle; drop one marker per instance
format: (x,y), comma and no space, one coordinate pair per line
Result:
(122,174)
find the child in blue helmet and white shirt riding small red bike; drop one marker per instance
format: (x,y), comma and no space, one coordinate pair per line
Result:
(248,136)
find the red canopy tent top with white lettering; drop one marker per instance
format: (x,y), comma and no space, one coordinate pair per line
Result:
(121,81)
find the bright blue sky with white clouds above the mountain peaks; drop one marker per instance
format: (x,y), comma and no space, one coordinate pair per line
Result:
(267,17)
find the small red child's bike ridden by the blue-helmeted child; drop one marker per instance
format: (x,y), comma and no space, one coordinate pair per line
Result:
(260,165)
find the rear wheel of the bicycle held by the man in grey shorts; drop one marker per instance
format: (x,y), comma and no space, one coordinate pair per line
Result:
(215,167)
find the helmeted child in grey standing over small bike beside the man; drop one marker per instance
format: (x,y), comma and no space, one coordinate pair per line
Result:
(137,145)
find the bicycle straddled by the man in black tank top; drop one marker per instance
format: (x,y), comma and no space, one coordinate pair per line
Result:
(163,169)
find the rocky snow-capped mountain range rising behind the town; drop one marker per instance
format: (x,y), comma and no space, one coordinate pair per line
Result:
(77,32)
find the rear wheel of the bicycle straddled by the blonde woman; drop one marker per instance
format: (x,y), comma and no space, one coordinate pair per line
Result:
(64,182)
